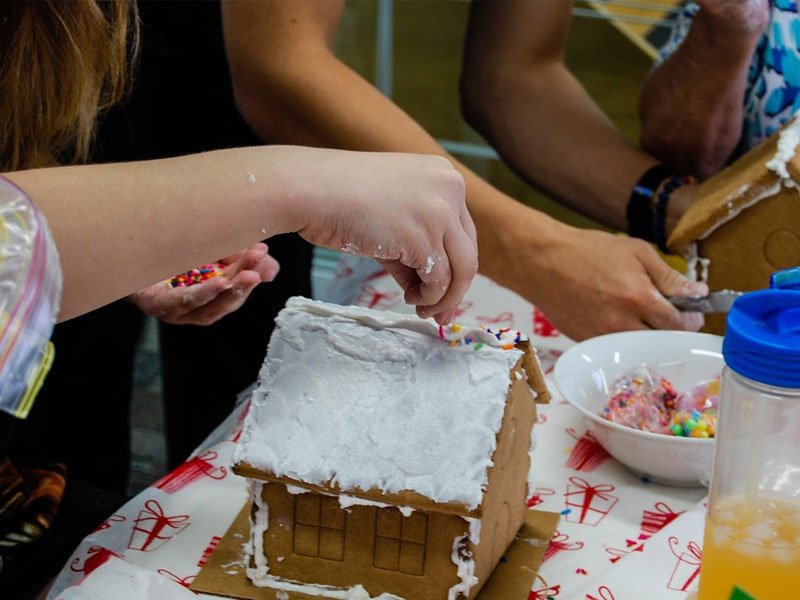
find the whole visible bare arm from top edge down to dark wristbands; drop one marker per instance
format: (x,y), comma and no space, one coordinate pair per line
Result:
(517,92)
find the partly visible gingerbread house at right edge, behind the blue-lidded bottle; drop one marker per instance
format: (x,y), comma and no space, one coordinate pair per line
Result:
(745,223)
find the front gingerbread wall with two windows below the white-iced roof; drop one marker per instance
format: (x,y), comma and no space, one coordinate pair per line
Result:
(376,547)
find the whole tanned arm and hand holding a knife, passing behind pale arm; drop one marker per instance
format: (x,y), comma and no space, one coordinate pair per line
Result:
(292,88)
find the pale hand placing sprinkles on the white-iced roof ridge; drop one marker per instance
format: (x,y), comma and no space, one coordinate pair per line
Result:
(408,212)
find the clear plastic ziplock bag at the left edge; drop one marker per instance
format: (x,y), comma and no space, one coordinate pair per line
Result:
(30,292)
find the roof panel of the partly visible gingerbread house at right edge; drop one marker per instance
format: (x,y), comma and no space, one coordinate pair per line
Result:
(757,175)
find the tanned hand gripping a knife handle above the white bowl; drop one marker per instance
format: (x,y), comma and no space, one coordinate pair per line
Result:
(591,282)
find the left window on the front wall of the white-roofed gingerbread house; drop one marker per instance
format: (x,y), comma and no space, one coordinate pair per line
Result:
(319,527)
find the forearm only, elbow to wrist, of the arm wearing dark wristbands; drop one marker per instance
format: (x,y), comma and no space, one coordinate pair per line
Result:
(548,129)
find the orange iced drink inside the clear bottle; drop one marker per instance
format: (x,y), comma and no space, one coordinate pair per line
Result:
(755,546)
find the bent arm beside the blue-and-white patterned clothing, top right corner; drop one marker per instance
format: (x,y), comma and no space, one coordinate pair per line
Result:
(691,106)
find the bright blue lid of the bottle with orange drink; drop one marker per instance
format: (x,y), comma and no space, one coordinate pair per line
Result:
(762,339)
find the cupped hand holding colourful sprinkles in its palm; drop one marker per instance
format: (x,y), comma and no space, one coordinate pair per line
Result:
(207,302)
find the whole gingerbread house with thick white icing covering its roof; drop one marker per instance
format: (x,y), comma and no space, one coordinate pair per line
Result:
(387,457)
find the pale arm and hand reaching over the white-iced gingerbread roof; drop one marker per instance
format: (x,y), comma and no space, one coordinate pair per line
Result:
(171,215)
